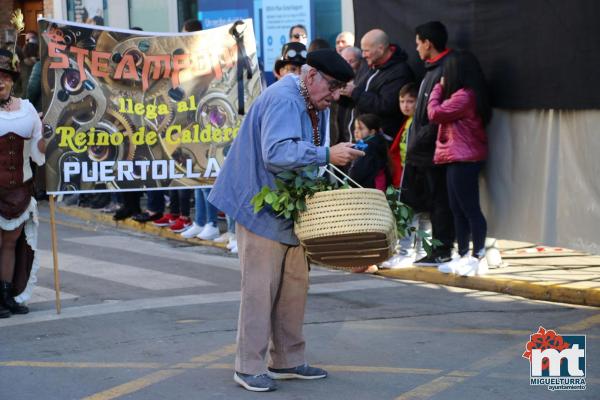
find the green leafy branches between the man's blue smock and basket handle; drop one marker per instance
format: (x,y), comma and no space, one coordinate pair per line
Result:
(292,188)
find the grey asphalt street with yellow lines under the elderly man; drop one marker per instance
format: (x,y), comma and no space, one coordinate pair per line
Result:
(147,318)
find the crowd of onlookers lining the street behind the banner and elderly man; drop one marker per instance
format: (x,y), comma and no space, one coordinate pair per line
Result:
(426,138)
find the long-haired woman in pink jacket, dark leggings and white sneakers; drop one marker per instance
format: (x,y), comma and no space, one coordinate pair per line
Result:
(460,105)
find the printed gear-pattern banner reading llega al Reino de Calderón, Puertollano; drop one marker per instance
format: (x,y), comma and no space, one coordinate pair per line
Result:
(131,110)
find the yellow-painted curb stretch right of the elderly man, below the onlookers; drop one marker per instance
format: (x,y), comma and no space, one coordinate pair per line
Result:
(515,287)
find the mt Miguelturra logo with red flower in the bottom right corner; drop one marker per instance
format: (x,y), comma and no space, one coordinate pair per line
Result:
(556,361)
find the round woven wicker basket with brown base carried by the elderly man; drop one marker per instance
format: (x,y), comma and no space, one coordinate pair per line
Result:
(347,228)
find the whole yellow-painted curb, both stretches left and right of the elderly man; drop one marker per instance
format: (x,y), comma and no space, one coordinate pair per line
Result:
(531,290)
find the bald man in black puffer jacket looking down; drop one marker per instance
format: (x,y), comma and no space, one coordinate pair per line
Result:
(378,92)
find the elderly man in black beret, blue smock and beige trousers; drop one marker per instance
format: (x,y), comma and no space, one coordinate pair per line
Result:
(285,129)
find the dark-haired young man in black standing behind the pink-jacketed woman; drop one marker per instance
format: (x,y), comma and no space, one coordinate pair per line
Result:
(432,195)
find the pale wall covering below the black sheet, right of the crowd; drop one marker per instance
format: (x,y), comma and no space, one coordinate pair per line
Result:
(541,178)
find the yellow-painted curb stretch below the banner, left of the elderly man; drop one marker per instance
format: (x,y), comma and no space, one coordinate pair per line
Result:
(88,215)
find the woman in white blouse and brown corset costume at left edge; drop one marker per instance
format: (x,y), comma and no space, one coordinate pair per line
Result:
(20,140)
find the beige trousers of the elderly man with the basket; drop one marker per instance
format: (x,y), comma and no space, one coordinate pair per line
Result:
(272,307)
